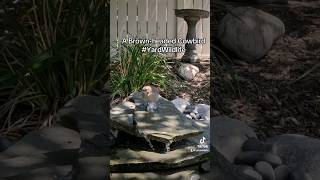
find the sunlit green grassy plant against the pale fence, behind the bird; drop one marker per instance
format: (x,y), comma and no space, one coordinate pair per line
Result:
(131,69)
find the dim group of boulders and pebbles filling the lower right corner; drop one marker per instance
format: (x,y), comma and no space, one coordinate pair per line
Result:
(282,157)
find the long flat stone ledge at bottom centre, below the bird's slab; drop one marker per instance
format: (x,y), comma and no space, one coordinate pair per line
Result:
(127,160)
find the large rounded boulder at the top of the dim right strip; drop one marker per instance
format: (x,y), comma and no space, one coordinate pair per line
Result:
(249,32)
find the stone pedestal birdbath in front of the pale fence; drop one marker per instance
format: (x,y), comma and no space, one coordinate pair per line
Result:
(191,16)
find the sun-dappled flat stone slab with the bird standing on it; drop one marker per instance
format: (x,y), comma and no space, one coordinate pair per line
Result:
(167,125)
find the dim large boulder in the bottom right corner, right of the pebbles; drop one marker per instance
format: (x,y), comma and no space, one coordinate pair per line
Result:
(299,152)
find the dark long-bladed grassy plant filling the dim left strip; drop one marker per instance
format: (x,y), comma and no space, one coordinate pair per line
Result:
(53,51)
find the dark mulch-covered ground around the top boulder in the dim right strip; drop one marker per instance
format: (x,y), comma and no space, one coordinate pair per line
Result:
(281,92)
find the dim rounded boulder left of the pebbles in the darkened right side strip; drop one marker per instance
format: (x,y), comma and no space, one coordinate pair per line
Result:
(228,136)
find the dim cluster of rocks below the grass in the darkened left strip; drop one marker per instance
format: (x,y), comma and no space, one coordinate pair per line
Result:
(77,147)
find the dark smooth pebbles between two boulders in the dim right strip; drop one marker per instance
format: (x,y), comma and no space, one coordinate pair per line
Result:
(261,161)
